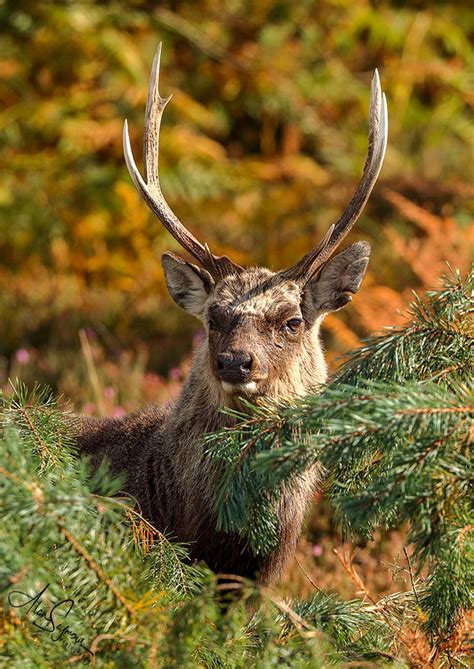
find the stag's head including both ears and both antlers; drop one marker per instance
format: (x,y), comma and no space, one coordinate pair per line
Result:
(262,326)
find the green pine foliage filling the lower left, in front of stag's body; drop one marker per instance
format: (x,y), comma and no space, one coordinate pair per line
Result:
(74,582)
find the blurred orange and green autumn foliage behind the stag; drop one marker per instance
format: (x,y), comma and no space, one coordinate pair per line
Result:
(261,149)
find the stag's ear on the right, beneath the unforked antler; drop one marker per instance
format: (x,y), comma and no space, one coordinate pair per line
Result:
(342,275)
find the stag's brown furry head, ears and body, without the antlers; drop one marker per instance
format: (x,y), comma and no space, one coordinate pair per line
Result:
(250,314)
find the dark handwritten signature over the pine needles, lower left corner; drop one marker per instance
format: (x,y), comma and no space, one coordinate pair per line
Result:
(47,619)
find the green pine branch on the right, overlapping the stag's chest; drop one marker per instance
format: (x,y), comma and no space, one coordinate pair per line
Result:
(397,450)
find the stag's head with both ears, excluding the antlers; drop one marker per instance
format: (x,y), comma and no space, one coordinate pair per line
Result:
(262,328)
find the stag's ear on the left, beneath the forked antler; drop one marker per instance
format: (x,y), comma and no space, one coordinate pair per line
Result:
(188,285)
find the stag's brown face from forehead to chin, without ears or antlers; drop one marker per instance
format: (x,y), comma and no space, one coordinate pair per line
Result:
(254,325)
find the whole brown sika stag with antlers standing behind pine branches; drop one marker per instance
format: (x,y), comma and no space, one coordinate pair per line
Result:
(262,340)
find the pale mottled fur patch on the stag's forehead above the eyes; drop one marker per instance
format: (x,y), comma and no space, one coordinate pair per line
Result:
(254,290)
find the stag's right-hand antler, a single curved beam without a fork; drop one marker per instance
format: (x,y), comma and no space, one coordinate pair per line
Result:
(305,268)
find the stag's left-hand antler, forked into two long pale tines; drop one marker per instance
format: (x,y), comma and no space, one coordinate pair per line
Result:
(150,190)
